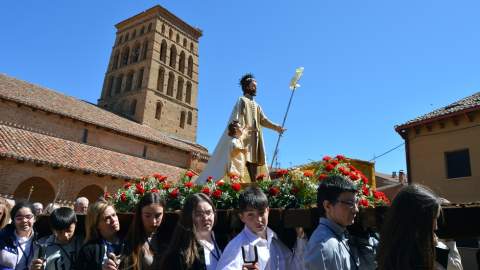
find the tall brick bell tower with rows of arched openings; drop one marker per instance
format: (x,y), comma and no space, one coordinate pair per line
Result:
(152,76)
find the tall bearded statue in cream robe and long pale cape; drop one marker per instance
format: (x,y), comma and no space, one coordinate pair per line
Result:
(250,118)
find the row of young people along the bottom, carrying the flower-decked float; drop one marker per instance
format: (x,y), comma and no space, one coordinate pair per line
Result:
(407,239)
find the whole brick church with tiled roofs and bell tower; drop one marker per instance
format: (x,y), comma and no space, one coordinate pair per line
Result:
(145,121)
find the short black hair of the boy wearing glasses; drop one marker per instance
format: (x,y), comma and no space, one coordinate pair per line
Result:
(330,189)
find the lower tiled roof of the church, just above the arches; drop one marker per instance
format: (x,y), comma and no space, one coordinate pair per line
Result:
(29,146)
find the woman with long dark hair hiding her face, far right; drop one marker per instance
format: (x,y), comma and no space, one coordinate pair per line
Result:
(407,240)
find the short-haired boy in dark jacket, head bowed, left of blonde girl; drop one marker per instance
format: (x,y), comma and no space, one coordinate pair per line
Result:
(62,247)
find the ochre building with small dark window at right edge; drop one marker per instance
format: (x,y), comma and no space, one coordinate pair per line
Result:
(443,150)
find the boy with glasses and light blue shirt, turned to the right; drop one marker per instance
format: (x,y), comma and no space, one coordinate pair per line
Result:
(328,247)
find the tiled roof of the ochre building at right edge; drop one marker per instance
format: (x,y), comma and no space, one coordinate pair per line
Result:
(467,104)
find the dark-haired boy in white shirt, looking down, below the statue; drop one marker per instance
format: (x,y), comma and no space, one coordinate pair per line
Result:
(272,253)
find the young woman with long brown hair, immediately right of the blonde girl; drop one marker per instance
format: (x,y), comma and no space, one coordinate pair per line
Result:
(142,245)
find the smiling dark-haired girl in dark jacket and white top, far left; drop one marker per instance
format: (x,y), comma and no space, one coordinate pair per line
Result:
(17,239)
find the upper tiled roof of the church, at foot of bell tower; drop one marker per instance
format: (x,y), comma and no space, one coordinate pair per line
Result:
(51,101)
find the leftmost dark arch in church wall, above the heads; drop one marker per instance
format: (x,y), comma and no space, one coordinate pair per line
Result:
(42,190)
